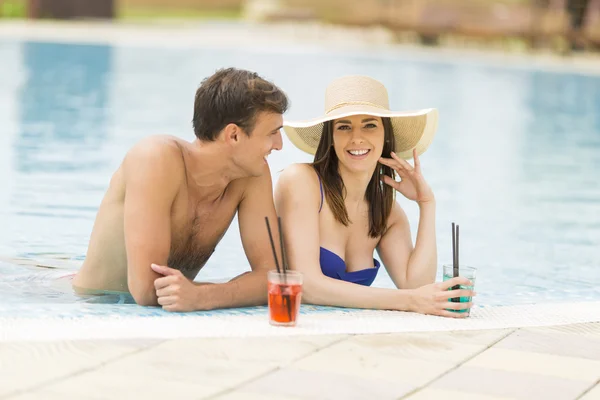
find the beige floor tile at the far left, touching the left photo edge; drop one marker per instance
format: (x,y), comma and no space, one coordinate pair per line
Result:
(25,365)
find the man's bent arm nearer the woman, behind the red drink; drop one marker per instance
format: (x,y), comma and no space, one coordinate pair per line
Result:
(250,288)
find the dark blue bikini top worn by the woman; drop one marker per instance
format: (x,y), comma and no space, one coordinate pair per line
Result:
(334,266)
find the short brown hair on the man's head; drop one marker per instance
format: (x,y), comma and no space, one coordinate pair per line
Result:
(234,96)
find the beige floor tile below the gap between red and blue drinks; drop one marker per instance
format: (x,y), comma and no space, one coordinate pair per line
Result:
(352,359)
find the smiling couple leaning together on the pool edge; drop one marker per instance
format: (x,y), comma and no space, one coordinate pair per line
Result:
(170,202)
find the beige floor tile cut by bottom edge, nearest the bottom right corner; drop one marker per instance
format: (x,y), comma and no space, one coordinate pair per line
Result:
(518,385)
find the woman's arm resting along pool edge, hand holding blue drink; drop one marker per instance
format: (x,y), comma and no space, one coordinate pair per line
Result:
(297,200)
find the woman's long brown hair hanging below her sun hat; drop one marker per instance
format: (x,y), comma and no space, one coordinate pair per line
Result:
(379,195)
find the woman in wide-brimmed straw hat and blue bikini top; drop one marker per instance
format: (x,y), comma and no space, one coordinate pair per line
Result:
(340,208)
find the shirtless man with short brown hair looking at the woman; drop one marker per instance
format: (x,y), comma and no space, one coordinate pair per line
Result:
(171,201)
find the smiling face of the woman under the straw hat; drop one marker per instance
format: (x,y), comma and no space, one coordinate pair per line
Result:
(358,142)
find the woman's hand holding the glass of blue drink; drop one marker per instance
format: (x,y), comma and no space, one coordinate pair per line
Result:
(435,298)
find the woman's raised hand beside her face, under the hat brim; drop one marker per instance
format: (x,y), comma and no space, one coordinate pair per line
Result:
(412,184)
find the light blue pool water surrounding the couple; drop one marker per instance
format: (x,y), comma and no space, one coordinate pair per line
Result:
(515,161)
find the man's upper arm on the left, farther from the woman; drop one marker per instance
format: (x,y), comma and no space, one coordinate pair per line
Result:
(153,174)
